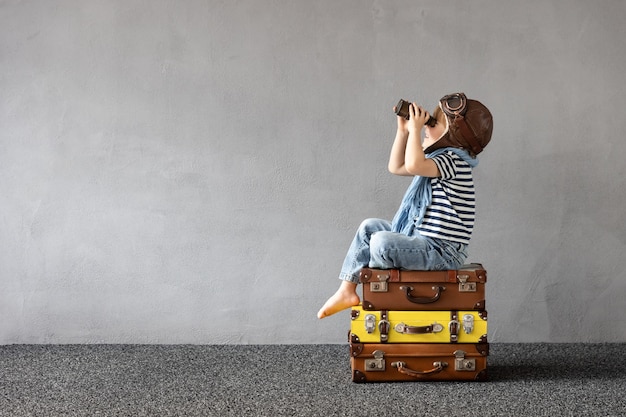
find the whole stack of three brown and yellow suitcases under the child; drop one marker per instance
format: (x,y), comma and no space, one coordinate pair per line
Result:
(420,325)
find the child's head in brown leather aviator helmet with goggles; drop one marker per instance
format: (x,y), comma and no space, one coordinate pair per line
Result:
(466,124)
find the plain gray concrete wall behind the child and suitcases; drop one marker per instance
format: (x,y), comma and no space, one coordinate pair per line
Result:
(194,171)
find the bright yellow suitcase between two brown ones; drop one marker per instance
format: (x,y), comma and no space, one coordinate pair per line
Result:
(418,326)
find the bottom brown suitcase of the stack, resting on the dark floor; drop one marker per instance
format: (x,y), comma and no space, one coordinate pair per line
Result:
(378,362)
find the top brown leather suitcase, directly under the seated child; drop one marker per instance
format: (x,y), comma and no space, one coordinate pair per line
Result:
(397,289)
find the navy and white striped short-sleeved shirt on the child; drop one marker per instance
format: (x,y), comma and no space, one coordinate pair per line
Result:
(452,210)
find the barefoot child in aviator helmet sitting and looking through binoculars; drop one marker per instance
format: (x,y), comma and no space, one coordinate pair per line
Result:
(433,225)
